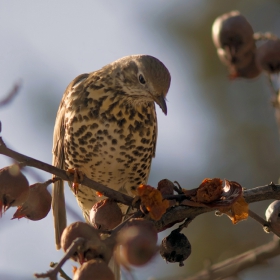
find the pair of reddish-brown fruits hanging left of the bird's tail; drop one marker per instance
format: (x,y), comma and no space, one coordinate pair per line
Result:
(33,202)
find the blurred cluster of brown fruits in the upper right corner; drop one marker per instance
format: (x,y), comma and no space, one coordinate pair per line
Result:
(234,38)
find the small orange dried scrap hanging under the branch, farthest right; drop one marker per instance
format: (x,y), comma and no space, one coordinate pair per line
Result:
(238,211)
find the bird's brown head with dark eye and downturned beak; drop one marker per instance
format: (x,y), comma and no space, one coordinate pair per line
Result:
(144,79)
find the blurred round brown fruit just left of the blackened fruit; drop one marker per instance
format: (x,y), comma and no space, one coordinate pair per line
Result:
(138,245)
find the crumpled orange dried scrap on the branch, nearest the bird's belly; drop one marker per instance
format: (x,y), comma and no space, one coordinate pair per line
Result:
(153,201)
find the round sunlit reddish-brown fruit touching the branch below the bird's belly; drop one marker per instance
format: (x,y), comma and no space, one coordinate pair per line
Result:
(105,214)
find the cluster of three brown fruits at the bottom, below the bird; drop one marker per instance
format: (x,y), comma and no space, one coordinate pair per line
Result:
(136,242)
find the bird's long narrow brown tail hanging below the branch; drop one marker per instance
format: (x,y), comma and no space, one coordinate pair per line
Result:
(59,211)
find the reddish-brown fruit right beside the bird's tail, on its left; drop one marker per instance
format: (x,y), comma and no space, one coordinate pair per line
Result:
(38,204)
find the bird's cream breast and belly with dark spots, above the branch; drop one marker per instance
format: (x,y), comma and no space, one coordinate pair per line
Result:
(112,144)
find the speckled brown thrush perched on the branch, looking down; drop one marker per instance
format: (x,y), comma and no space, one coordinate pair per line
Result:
(106,127)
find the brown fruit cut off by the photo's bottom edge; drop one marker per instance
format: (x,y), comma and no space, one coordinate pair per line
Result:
(94,270)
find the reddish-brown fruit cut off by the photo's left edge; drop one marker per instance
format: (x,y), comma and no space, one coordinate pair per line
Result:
(14,188)
